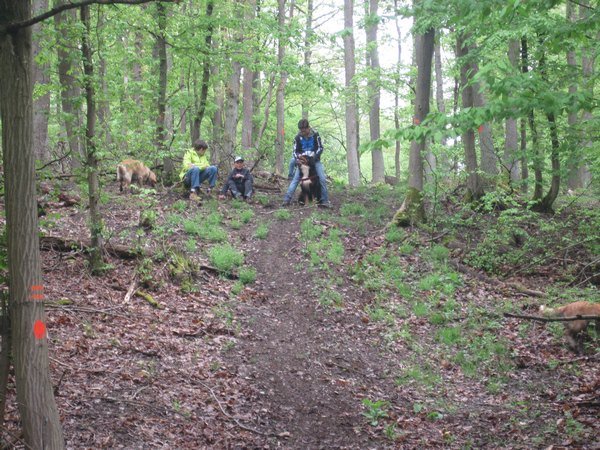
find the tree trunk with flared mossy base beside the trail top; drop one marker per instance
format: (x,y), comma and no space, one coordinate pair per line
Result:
(412,210)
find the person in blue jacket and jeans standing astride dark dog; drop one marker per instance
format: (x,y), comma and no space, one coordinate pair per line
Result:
(308,143)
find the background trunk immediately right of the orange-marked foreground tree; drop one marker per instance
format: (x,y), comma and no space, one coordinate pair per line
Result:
(41,105)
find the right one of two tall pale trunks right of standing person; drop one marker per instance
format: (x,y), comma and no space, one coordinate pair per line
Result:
(372,21)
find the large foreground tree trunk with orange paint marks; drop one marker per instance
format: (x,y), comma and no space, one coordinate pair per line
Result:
(37,408)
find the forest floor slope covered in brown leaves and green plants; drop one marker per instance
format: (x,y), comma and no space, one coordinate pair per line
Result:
(345,335)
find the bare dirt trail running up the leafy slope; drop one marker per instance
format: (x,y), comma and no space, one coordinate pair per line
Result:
(309,365)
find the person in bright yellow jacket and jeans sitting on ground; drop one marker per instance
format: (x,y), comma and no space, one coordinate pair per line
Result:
(196,169)
